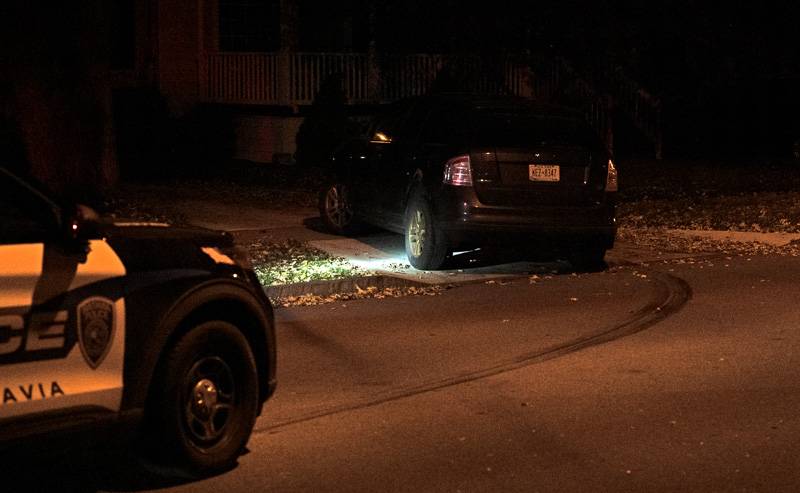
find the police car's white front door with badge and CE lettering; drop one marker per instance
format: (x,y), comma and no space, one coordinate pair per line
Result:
(61,321)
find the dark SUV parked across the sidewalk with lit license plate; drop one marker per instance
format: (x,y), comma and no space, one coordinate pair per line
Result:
(461,171)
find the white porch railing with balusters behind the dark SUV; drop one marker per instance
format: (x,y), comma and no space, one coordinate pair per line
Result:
(295,79)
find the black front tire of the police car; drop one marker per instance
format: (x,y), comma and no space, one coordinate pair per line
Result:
(176,437)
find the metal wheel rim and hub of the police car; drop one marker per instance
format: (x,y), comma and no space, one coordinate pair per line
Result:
(210,400)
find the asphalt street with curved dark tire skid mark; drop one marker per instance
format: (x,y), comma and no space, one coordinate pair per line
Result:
(671,377)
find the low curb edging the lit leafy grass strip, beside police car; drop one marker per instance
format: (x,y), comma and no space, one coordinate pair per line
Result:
(349,285)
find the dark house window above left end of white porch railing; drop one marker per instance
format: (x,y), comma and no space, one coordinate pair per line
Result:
(249,25)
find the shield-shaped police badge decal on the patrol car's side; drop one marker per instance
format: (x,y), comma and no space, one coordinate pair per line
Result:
(95,329)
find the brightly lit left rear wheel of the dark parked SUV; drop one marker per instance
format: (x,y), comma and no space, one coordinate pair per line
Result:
(425,243)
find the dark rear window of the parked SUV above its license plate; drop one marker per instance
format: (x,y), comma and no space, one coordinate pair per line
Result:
(509,128)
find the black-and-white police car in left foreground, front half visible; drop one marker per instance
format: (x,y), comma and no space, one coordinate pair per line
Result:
(161,330)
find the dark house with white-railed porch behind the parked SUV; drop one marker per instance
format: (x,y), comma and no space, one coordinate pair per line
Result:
(262,63)
